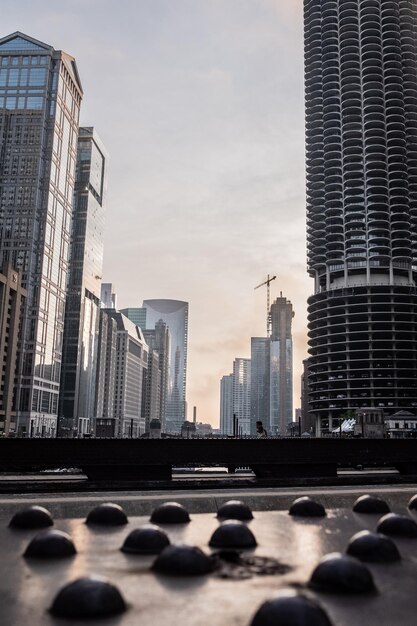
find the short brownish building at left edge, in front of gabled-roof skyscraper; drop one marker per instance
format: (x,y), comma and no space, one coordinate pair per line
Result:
(12,296)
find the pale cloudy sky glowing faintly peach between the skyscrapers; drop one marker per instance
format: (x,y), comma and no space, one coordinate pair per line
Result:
(200,106)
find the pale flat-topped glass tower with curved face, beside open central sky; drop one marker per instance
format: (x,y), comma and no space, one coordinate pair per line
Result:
(175,314)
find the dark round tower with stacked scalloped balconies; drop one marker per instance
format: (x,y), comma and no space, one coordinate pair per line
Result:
(361,152)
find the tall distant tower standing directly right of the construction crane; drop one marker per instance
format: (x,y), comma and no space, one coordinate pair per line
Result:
(281,405)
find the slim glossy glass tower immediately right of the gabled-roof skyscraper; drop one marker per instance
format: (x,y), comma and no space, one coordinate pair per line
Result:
(82,312)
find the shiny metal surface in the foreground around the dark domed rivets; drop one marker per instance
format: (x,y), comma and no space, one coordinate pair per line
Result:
(27,588)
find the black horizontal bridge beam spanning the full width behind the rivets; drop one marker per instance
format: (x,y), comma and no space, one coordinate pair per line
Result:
(153,459)
